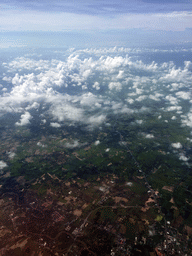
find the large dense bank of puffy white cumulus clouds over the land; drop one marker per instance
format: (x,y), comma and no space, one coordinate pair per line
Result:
(83,86)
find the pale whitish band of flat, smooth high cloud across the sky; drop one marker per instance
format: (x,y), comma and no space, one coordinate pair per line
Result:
(31,20)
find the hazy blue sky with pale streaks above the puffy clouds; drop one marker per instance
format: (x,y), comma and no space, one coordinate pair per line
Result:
(90,22)
